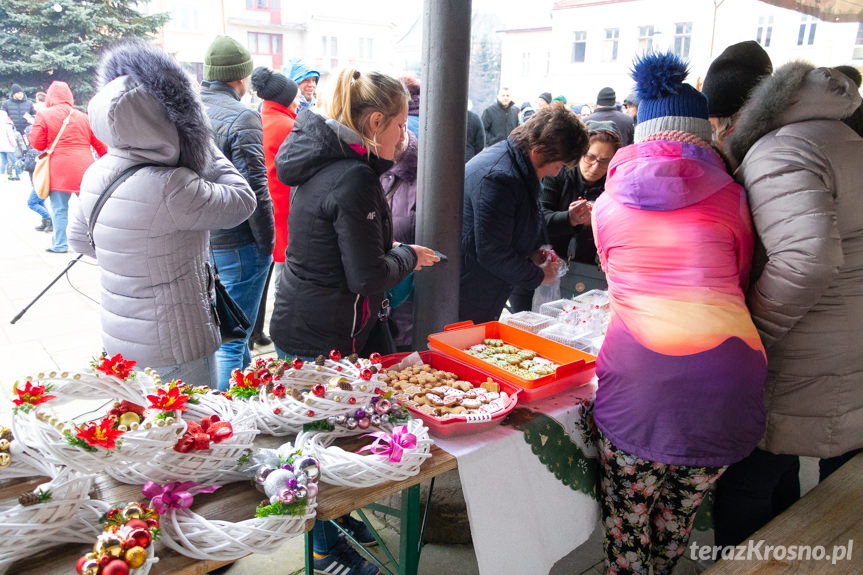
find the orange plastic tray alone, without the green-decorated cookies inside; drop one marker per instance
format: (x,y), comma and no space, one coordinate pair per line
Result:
(576,367)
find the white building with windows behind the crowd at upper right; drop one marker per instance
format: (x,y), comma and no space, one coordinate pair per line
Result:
(590,44)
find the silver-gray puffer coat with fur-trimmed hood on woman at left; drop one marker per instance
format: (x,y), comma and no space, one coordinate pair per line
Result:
(151,237)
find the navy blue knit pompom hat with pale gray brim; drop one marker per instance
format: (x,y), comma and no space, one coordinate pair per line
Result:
(667,103)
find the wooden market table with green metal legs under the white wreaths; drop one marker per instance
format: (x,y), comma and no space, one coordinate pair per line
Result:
(236,502)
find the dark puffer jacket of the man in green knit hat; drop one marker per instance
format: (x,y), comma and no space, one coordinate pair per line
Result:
(239,135)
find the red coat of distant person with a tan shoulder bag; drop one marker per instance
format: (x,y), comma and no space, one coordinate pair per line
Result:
(72,155)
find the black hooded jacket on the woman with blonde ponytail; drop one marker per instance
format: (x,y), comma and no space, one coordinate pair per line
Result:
(340,260)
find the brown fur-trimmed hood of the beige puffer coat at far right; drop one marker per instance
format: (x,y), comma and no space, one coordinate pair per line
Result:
(797,92)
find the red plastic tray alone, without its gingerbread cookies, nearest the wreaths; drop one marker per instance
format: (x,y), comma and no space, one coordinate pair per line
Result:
(460,424)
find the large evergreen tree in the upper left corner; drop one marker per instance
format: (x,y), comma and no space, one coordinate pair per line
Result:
(46,40)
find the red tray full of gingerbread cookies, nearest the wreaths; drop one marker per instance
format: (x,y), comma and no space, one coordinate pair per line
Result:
(452,398)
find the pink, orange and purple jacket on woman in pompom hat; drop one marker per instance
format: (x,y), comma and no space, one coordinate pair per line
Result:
(682,369)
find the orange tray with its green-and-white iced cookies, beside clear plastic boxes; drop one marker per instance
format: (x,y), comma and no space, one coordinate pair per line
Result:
(539,366)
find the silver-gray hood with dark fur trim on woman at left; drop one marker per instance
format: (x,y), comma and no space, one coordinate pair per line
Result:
(147,110)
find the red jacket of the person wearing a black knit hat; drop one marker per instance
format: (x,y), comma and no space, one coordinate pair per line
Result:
(278,122)
